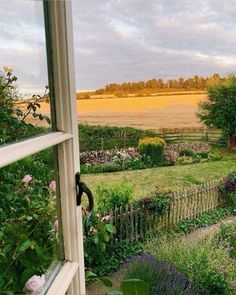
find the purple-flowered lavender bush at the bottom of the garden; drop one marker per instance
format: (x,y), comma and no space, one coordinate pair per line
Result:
(160,276)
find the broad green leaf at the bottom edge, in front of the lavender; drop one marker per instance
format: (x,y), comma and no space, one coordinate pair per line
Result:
(134,287)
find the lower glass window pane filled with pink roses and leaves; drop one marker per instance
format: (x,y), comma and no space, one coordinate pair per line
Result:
(29,235)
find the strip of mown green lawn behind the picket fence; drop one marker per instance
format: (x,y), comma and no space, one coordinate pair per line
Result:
(165,178)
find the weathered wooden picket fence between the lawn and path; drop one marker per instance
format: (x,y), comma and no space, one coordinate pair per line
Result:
(134,223)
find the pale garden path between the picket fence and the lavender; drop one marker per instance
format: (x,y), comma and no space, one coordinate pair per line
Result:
(99,289)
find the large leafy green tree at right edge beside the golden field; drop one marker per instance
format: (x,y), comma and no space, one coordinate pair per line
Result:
(218,111)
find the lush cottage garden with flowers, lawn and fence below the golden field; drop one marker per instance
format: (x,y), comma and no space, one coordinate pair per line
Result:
(155,194)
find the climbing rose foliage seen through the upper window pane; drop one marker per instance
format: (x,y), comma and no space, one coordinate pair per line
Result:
(13,120)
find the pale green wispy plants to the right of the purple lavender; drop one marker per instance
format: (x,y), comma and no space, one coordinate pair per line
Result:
(207,266)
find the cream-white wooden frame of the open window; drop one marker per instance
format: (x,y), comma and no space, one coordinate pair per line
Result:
(71,277)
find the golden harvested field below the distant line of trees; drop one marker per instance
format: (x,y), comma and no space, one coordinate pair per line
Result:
(150,112)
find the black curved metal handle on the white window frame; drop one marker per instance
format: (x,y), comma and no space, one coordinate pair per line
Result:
(81,188)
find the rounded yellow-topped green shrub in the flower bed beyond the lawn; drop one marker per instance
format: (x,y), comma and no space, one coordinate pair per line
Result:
(152,147)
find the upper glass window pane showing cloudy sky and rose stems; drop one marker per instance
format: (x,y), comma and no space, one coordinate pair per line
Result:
(24,97)
